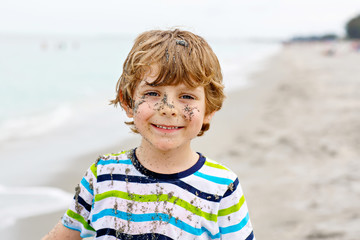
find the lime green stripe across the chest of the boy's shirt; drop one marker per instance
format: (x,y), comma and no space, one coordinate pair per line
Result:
(157,198)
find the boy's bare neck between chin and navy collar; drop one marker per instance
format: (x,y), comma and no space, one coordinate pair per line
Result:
(166,162)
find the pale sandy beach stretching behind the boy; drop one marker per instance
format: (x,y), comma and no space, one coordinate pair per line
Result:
(293,138)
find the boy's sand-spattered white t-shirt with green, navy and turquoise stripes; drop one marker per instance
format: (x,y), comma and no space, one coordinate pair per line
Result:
(119,199)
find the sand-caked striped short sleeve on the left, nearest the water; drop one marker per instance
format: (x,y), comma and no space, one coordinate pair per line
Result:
(77,217)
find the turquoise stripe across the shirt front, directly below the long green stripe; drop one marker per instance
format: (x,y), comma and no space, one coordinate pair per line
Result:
(150,217)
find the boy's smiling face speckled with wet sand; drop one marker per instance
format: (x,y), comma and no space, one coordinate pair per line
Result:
(168,117)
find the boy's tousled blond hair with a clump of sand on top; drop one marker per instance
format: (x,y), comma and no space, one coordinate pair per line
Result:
(182,57)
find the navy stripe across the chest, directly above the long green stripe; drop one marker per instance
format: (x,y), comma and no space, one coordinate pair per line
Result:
(146,180)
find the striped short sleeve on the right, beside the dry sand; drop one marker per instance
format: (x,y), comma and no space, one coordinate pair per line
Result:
(233,215)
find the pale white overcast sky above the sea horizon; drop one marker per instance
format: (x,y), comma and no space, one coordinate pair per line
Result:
(221,18)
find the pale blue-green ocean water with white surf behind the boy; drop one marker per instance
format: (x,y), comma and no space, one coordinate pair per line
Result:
(54,96)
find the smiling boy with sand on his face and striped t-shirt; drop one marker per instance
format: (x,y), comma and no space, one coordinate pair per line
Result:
(171,86)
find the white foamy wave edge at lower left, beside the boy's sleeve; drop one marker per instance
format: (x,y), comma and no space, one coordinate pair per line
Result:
(22,202)
